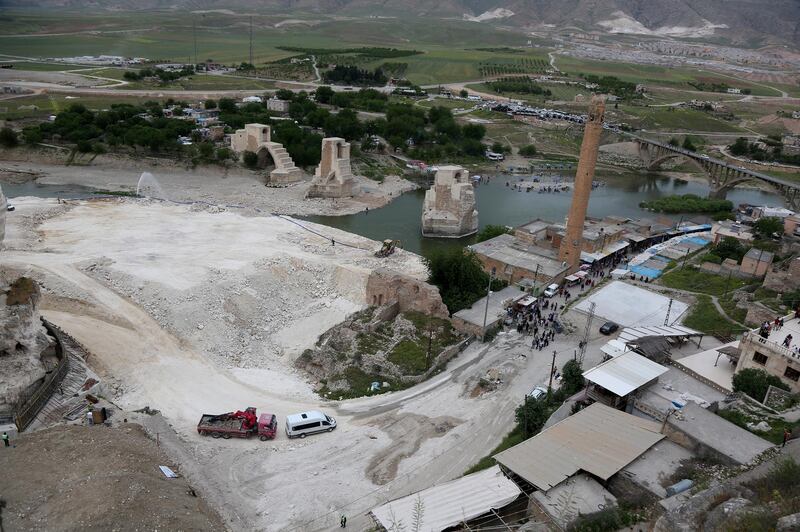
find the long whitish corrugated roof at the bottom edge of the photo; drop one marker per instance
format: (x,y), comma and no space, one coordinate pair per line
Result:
(451,503)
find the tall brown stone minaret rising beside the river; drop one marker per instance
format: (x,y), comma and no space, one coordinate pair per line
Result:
(570,251)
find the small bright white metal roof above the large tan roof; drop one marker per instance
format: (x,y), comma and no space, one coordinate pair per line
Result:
(623,374)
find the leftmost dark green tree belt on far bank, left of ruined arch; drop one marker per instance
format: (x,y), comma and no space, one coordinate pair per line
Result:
(136,126)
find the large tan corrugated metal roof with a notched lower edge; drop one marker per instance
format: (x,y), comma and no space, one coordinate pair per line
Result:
(599,440)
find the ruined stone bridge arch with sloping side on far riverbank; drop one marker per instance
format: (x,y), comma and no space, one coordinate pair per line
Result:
(257,138)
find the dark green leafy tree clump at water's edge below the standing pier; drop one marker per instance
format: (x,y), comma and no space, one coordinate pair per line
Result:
(460,277)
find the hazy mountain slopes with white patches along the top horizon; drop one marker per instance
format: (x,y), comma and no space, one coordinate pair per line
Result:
(739,20)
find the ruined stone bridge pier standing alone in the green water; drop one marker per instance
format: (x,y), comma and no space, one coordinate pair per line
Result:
(449,208)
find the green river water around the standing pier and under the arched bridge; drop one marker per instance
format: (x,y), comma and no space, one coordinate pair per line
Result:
(499,204)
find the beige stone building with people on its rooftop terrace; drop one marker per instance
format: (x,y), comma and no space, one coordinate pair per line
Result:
(769,352)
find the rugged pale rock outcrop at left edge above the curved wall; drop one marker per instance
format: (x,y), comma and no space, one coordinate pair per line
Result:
(24,343)
